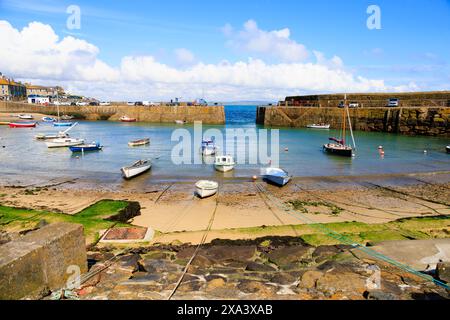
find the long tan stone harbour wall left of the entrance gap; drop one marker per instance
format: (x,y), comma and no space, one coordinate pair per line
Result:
(157,114)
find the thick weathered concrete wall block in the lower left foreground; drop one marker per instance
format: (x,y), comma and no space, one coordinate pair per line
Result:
(38,262)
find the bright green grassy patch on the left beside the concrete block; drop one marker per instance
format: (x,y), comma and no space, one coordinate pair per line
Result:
(92,218)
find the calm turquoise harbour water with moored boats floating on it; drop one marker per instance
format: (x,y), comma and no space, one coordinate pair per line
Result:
(24,157)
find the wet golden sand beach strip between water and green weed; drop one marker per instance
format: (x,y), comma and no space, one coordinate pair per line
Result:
(176,213)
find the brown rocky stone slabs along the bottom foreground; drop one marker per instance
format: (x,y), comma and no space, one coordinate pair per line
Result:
(266,268)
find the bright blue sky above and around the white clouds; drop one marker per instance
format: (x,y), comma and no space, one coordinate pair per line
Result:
(412,49)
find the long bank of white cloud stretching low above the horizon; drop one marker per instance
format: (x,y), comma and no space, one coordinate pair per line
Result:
(37,54)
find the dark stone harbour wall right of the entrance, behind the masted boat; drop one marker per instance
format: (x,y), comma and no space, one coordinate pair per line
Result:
(408,121)
